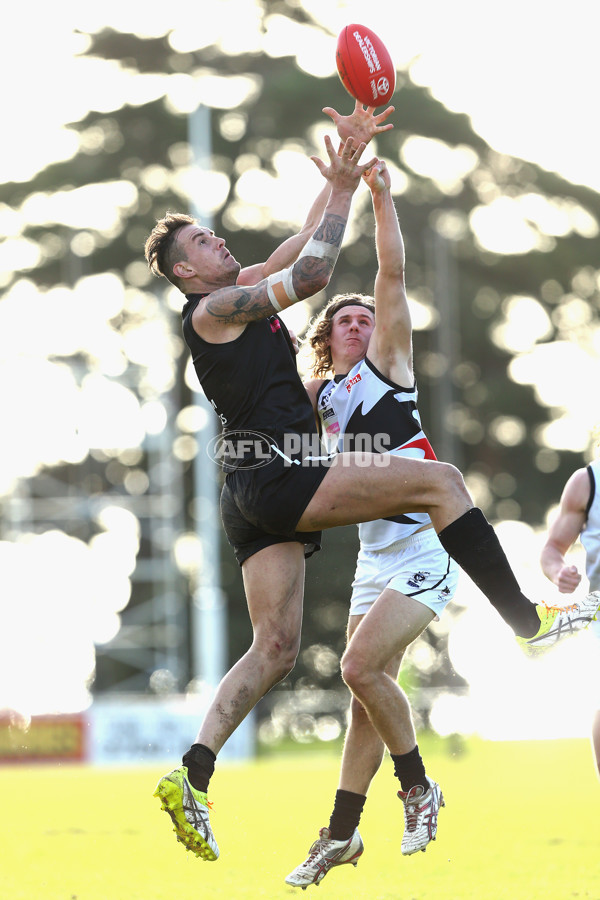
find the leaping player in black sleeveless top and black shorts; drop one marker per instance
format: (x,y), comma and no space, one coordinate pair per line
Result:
(277,497)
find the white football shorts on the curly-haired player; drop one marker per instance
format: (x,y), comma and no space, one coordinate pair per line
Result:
(417,567)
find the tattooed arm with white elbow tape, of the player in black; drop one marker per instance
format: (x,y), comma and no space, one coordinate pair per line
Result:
(224,313)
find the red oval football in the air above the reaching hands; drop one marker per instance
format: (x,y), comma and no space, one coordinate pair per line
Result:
(365,66)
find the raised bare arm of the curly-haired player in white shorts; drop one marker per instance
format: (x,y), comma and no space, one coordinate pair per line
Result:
(390,347)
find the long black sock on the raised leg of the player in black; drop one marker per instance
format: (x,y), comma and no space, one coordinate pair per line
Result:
(473,543)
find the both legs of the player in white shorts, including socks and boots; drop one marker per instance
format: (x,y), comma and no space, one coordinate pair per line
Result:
(370,666)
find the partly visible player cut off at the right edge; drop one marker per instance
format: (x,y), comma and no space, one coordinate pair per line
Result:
(578,517)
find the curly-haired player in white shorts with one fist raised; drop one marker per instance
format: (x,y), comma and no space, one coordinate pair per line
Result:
(404,578)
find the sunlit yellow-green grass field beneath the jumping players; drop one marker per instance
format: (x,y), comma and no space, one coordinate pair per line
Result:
(521,821)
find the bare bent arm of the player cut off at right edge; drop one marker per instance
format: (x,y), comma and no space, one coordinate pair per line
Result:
(564,531)
